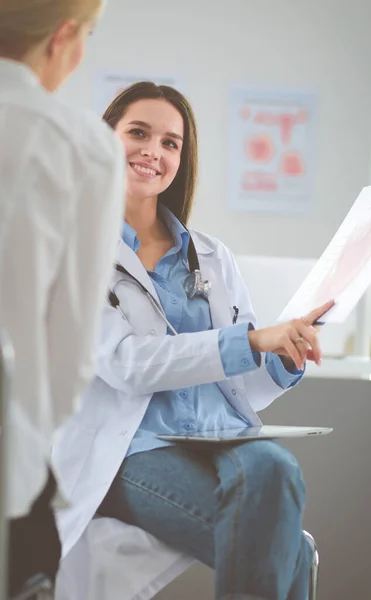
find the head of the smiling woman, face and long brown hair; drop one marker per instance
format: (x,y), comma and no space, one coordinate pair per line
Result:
(158,128)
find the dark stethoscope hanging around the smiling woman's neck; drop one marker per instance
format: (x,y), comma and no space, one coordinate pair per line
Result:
(194,286)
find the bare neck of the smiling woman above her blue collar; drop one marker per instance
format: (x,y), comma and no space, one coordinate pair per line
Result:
(141,215)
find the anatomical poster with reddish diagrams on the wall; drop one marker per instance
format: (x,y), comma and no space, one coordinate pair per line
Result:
(271,150)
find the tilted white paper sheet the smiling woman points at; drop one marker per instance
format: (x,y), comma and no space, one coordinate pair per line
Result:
(343,272)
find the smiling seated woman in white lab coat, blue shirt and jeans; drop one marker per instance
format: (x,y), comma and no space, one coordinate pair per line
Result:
(179,352)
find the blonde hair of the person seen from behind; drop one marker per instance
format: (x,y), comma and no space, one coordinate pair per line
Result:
(24,24)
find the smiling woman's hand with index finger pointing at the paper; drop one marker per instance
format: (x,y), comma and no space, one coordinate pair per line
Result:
(296,339)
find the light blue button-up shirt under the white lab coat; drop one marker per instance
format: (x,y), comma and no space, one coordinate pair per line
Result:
(201,407)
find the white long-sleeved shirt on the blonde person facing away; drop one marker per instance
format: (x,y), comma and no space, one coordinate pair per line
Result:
(61,198)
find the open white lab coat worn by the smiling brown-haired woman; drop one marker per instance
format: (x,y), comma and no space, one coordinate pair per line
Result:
(135,358)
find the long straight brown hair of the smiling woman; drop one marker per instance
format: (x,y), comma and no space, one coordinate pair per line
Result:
(178,197)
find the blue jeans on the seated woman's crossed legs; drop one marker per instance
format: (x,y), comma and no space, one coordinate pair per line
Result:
(237,509)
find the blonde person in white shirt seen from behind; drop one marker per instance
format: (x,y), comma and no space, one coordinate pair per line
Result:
(60,204)
